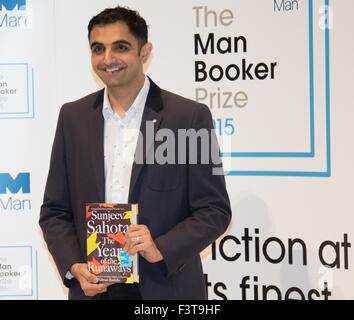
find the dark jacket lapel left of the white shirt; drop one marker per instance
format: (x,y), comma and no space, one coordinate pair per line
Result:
(96,145)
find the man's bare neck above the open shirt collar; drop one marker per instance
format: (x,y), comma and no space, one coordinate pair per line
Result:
(122,98)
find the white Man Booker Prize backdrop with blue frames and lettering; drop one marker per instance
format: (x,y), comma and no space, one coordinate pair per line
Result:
(285,132)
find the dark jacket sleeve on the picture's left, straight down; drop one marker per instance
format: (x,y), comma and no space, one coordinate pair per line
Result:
(56,219)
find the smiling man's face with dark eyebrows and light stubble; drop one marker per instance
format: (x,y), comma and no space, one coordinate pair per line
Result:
(115,55)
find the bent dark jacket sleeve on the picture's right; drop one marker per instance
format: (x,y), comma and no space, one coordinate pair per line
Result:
(209,207)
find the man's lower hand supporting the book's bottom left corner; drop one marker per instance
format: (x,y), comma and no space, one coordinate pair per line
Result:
(88,281)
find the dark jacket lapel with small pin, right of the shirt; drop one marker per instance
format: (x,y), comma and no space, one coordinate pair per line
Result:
(151,116)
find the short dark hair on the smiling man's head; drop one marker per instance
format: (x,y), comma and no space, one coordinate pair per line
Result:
(136,24)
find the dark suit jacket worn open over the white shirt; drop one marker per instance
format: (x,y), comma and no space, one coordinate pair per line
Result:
(185,206)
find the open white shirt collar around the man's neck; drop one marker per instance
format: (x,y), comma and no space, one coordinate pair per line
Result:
(137,106)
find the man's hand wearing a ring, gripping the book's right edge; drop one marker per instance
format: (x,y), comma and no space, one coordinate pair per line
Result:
(138,240)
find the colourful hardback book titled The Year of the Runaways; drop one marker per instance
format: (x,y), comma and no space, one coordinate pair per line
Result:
(106,228)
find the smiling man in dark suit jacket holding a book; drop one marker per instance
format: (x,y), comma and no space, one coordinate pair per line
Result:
(183,206)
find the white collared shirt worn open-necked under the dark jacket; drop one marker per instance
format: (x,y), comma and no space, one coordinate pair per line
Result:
(120,139)
